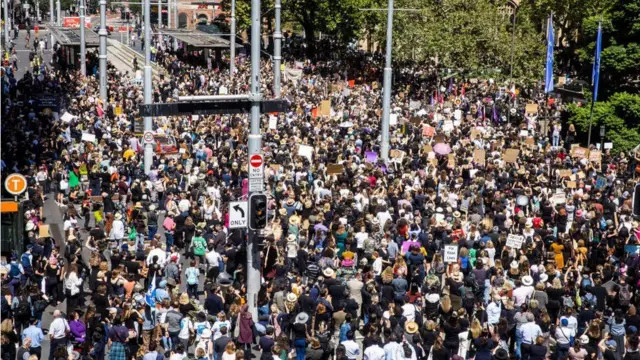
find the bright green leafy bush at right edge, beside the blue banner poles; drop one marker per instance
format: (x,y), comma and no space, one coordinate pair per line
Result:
(620,115)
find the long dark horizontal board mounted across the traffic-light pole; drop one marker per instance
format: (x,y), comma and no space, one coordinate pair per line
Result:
(207,108)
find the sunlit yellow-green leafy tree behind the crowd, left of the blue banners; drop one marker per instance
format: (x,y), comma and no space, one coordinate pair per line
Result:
(467,35)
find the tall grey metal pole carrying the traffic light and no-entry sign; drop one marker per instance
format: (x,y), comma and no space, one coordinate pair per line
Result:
(255,145)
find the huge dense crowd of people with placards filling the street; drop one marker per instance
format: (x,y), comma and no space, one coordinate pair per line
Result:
(486,235)
